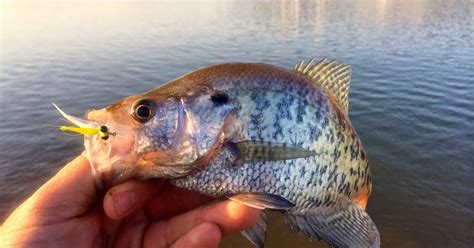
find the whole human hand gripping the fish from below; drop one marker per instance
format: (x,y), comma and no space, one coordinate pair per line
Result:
(67,211)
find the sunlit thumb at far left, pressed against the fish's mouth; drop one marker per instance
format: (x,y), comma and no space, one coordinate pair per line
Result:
(66,195)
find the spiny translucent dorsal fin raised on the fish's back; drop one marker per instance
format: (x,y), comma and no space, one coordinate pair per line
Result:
(331,76)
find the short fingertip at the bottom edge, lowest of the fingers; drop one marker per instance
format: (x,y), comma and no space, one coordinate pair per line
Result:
(204,235)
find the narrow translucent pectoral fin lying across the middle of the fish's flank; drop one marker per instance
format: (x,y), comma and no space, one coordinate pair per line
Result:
(251,151)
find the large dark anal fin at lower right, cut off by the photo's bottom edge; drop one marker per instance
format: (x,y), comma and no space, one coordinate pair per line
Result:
(345,226)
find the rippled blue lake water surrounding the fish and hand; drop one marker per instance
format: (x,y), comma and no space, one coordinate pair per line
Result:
(411,98)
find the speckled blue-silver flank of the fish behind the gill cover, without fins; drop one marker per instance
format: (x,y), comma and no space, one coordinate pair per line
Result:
(280,106)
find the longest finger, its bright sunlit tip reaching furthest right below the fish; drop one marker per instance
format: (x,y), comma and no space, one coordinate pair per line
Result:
(228,215)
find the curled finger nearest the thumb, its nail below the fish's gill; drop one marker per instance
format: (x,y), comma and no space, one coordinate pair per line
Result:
(125,198)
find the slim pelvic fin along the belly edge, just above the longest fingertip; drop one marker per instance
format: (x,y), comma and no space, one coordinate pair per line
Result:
(262,201)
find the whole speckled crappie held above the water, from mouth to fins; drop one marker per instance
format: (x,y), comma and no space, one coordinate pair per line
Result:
(261,135)
